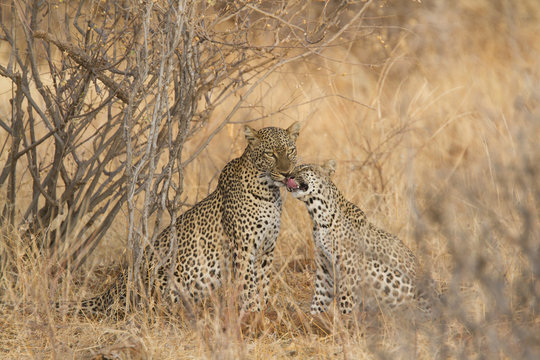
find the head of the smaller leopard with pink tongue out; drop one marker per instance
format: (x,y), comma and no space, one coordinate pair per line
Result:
(310,179)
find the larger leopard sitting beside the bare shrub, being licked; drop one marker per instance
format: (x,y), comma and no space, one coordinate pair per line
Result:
(237,224)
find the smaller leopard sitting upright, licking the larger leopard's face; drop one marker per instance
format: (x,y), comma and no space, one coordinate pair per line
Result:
(356,263)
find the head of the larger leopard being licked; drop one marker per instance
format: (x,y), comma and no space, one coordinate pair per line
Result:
(272,150)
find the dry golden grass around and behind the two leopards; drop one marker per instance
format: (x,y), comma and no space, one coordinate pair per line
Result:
(447,158)
